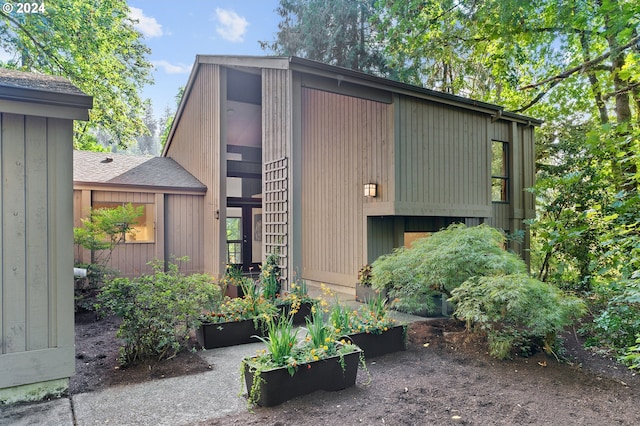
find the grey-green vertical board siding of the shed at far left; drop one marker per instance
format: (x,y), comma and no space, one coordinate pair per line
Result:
(36,281)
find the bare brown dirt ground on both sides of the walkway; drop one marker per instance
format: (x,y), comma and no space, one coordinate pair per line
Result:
(445,377)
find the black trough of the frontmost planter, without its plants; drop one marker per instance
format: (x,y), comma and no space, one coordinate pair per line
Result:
(277,386)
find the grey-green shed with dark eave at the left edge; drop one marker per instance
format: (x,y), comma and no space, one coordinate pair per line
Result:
(37,349)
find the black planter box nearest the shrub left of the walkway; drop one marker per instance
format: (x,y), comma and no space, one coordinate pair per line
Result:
(233,333)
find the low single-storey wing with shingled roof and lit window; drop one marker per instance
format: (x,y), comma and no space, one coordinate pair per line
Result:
(171,199)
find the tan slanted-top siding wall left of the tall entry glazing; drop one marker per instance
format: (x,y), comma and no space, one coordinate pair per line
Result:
(197,146)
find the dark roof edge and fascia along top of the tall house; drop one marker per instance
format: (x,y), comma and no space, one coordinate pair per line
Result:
(307,66)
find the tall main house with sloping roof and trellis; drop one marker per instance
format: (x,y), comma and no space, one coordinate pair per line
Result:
(331,168)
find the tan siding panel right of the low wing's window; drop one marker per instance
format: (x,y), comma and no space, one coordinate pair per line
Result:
(184,230)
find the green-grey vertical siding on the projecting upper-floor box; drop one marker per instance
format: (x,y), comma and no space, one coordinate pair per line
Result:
(437,167)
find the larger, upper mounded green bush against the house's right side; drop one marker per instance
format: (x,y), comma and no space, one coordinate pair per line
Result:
(440,263)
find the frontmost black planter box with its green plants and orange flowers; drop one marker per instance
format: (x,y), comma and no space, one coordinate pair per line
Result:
(289,367)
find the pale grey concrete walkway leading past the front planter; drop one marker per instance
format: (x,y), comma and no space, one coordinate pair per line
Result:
(172,401)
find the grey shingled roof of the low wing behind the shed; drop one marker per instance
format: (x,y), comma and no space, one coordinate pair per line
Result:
(132,171)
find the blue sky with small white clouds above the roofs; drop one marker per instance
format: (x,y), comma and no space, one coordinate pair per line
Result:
(176,31)
